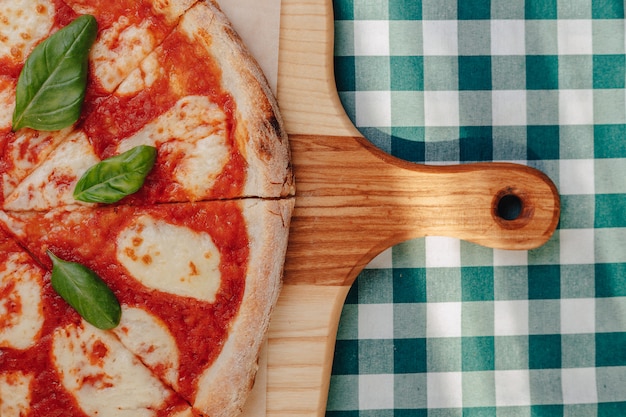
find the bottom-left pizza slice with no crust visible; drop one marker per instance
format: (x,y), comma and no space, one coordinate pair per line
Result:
(54,363)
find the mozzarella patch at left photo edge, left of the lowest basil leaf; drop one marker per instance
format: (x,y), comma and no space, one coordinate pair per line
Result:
(21,311)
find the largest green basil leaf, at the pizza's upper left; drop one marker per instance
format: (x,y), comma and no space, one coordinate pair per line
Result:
(51,87)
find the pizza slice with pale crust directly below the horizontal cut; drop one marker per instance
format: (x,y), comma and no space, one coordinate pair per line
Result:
(196,283)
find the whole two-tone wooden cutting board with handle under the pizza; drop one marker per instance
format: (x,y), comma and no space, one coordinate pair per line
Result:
(353,201)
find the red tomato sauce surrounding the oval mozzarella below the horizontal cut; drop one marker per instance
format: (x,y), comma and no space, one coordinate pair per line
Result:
(200,328)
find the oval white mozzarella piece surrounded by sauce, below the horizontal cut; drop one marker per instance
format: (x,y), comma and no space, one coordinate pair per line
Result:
(148,250)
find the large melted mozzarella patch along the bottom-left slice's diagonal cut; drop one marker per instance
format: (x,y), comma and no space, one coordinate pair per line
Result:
(104,377)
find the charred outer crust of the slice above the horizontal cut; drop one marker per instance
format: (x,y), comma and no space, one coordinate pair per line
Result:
(260,129)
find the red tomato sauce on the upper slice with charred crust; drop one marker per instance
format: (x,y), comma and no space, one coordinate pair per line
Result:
(186,71)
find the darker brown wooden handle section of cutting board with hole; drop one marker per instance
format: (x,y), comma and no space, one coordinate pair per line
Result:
(354,201)
